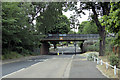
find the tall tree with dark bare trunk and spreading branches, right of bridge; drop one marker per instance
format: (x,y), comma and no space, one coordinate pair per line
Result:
(98,9)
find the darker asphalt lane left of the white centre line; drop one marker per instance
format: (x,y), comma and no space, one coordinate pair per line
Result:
(14,66)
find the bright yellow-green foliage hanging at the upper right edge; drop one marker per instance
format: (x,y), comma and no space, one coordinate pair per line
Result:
(113,21)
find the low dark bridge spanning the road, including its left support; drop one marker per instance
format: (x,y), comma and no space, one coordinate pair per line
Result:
(65,37)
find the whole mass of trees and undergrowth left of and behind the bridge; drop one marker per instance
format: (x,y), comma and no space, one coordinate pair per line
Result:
(23,24)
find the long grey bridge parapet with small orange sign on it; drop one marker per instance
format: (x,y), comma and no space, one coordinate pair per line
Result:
(69,37)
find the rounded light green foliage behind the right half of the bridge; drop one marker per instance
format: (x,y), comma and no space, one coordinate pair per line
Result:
(88,27)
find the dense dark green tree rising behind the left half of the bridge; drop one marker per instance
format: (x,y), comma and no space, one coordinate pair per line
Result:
(51,19)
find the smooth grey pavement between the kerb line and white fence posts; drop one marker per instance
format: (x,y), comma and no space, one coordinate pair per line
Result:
(81,68)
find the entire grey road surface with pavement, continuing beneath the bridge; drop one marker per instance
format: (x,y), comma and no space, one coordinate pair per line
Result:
(53,66)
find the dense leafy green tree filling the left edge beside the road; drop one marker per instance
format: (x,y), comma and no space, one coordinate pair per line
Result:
(16,28)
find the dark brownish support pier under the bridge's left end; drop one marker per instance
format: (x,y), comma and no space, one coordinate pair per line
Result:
(44,49)
